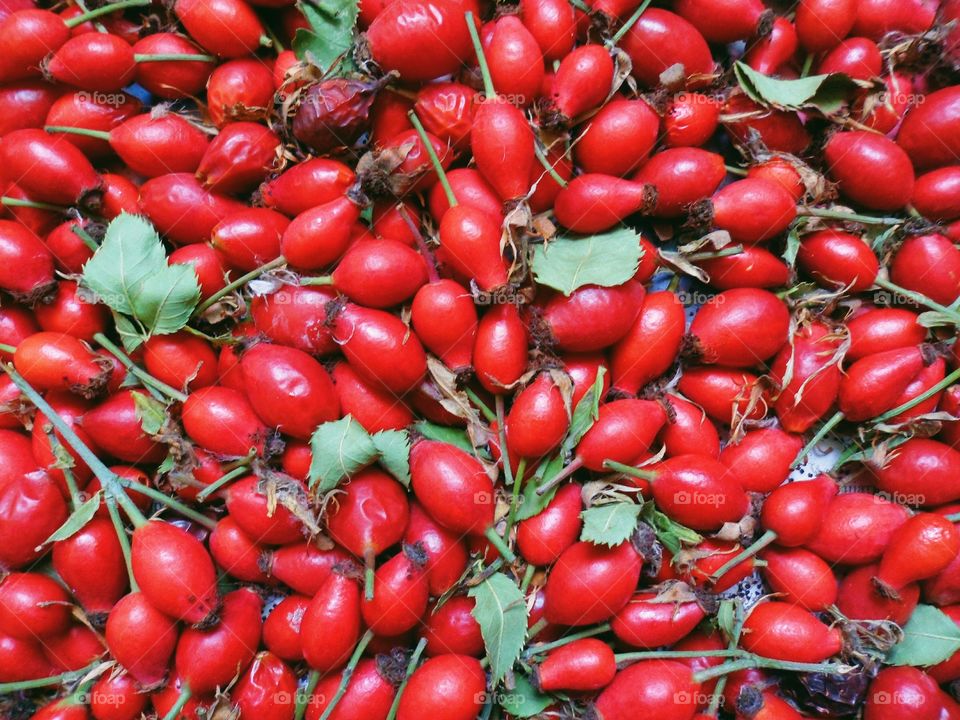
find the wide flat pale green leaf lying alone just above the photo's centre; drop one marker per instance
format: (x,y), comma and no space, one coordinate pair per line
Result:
(567,263)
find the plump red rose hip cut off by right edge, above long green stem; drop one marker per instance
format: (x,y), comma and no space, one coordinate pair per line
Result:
(936,260)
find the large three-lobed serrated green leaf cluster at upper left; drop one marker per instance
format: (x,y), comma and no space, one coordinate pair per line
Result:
(129,273)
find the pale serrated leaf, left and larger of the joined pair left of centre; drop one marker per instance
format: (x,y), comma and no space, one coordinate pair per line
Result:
(339,449)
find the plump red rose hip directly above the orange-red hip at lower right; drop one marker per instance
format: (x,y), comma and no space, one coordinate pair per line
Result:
(803,578)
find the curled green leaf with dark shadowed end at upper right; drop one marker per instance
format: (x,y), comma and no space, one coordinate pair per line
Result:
(827,93)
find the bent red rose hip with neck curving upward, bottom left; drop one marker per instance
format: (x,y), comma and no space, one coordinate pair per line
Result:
(207,659)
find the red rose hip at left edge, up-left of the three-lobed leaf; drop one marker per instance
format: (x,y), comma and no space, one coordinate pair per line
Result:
(49,168)
